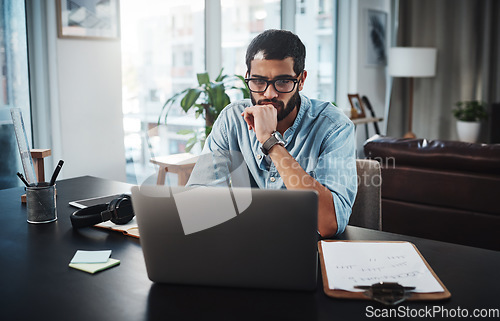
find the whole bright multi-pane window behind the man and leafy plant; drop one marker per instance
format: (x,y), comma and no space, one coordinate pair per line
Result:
(163,47)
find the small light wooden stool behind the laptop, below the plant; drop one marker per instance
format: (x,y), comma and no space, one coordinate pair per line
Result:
(181,164)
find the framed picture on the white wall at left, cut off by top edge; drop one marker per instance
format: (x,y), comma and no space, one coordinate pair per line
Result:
(88,19)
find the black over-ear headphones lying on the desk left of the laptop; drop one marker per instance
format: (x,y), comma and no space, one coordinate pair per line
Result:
(119,211)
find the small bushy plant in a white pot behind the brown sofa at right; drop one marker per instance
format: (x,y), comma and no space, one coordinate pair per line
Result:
(469,115)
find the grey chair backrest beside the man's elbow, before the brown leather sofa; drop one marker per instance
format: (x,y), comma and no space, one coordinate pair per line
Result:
(366,211)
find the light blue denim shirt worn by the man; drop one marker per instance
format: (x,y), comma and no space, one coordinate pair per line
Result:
(321,140)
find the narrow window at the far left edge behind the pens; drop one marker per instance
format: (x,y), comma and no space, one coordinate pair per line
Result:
(14,87)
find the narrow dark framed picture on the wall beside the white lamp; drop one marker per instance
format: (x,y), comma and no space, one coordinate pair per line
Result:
(376,43)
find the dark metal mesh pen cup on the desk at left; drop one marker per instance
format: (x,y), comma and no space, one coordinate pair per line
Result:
(41,203)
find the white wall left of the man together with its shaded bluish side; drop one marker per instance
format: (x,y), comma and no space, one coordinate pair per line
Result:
(76,98)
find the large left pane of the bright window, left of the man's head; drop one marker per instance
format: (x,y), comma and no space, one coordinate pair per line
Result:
(162,50)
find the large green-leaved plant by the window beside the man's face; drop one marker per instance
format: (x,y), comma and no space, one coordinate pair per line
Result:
(208,99)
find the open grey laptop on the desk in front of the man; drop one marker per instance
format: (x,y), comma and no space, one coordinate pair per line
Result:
(236,237)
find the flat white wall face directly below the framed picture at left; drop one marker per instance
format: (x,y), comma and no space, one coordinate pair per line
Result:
(90,108)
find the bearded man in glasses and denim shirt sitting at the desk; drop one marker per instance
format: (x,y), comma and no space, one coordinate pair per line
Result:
(286,139)
